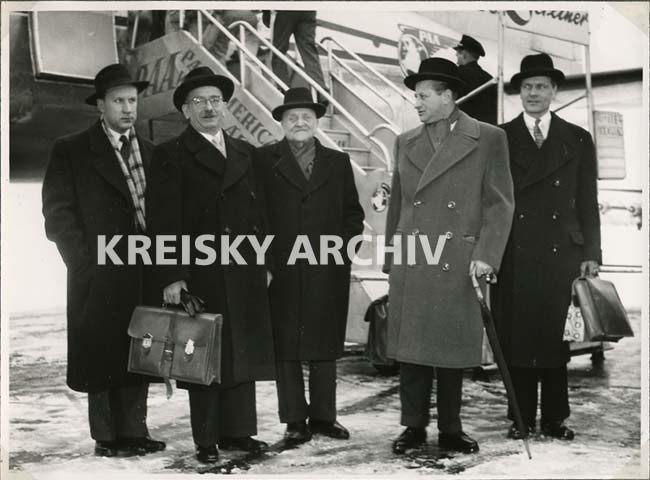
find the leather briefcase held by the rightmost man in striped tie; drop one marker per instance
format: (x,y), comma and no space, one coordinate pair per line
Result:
(605,318)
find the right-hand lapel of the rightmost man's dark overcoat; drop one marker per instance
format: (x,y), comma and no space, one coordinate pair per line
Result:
(558,148)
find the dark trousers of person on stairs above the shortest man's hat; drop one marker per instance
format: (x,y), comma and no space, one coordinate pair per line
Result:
(303,27)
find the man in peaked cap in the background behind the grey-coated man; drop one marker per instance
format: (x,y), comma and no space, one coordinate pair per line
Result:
(483,106)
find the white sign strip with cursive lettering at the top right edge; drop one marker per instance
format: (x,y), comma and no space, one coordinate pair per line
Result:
(563,24)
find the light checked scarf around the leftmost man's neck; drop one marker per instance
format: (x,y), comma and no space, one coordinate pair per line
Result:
(133,171)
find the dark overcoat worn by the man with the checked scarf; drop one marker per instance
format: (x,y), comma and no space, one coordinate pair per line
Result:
(86,195)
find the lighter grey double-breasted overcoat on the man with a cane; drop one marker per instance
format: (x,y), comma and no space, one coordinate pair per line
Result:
(463,191)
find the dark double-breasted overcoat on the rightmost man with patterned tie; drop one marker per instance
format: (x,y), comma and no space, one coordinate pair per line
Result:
(556,226)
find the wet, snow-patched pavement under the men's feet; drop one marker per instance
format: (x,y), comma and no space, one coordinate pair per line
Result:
(50,438)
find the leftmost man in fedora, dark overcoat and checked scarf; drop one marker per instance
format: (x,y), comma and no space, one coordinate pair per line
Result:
(94,185)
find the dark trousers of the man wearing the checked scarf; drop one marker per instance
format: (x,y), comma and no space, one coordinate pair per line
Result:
(118,413)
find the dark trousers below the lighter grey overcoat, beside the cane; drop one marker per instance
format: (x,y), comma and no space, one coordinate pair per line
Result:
(415,383)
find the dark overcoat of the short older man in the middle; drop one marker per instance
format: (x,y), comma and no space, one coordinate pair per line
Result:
(309,303)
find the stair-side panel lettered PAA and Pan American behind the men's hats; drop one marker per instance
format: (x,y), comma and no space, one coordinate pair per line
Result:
(166,61)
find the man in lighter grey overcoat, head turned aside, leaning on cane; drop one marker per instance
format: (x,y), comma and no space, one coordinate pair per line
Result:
(451,178)
